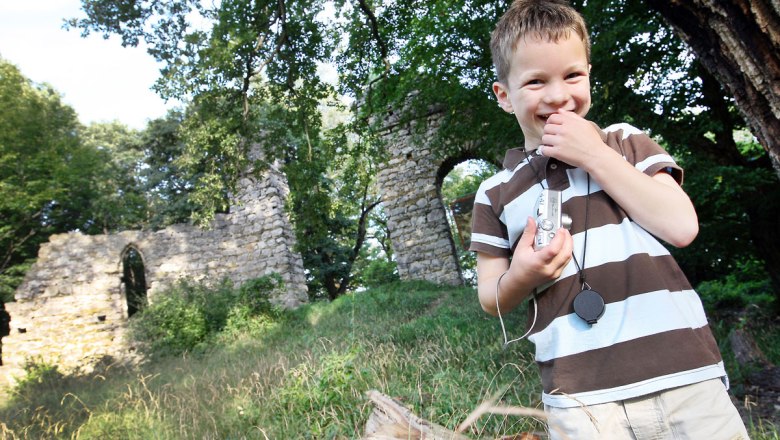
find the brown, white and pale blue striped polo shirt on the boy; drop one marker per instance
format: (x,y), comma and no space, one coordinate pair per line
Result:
(654,334)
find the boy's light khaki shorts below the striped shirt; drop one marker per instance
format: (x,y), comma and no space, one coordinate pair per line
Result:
(699,411)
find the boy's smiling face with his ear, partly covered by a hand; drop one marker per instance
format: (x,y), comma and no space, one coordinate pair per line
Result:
(545,77)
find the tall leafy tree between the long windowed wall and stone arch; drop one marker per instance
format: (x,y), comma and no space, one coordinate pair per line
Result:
(250,76)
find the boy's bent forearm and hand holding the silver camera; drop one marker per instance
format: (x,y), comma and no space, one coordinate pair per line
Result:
(527,270)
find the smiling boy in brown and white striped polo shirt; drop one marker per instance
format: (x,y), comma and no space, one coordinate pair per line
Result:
(622,342)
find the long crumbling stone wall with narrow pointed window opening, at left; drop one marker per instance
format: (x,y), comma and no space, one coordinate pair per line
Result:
(72,307)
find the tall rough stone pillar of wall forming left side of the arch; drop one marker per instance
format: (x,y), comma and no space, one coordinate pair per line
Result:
(416,217)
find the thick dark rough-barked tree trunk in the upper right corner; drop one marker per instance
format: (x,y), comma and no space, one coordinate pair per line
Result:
(738,41)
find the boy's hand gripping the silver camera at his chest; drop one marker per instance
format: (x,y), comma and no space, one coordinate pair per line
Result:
(546,264)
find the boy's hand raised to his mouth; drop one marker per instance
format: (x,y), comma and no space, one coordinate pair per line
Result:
(571,138)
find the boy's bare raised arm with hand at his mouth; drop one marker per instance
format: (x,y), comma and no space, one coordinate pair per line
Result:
(657,203)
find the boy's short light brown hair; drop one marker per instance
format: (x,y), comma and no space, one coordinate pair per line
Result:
(550,20)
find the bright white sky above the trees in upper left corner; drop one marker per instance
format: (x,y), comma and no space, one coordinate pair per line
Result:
(99,78)
